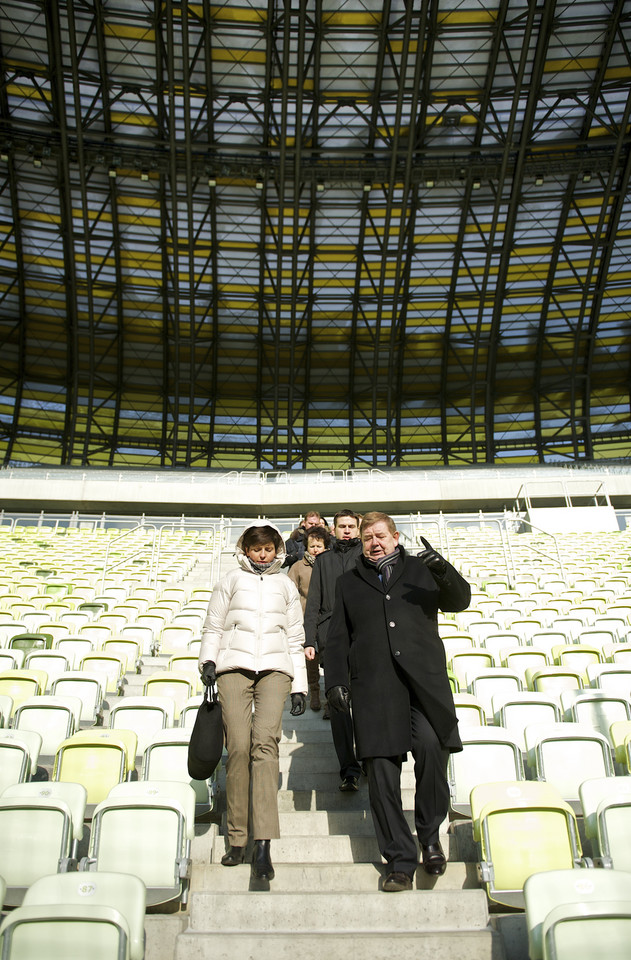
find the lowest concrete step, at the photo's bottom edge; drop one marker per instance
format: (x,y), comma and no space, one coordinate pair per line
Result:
(447,944)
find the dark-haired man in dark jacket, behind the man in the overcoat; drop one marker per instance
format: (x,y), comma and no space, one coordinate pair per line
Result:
(342,556)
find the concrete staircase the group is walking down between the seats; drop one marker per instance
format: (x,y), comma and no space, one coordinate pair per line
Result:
(325,900)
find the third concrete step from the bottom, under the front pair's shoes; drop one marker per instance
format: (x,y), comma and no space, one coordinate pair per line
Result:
(325,877)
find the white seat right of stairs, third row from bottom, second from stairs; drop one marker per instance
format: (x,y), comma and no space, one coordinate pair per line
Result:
(565,754)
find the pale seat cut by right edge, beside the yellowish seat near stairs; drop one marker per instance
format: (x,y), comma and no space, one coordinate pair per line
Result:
(606,806)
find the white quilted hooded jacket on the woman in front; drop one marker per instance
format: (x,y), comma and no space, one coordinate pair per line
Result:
(254,622)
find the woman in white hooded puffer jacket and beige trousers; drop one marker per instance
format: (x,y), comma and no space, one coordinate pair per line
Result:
(253,647)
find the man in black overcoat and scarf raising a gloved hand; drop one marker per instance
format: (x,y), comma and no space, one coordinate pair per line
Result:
(383,651)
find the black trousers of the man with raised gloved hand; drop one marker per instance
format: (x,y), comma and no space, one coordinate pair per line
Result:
(431,799)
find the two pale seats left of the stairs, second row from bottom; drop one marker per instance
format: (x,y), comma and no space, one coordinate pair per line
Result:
(141,827)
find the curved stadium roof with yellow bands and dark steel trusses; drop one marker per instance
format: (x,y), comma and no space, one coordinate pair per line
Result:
(314,233)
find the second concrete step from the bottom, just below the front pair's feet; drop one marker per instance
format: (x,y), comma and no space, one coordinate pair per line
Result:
(271,912)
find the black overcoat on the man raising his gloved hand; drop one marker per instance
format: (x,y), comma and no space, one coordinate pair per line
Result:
(383,644)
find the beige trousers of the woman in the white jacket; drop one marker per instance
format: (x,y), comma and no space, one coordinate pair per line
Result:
(252,707)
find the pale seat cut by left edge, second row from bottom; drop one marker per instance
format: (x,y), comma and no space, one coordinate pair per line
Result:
(41,825)
